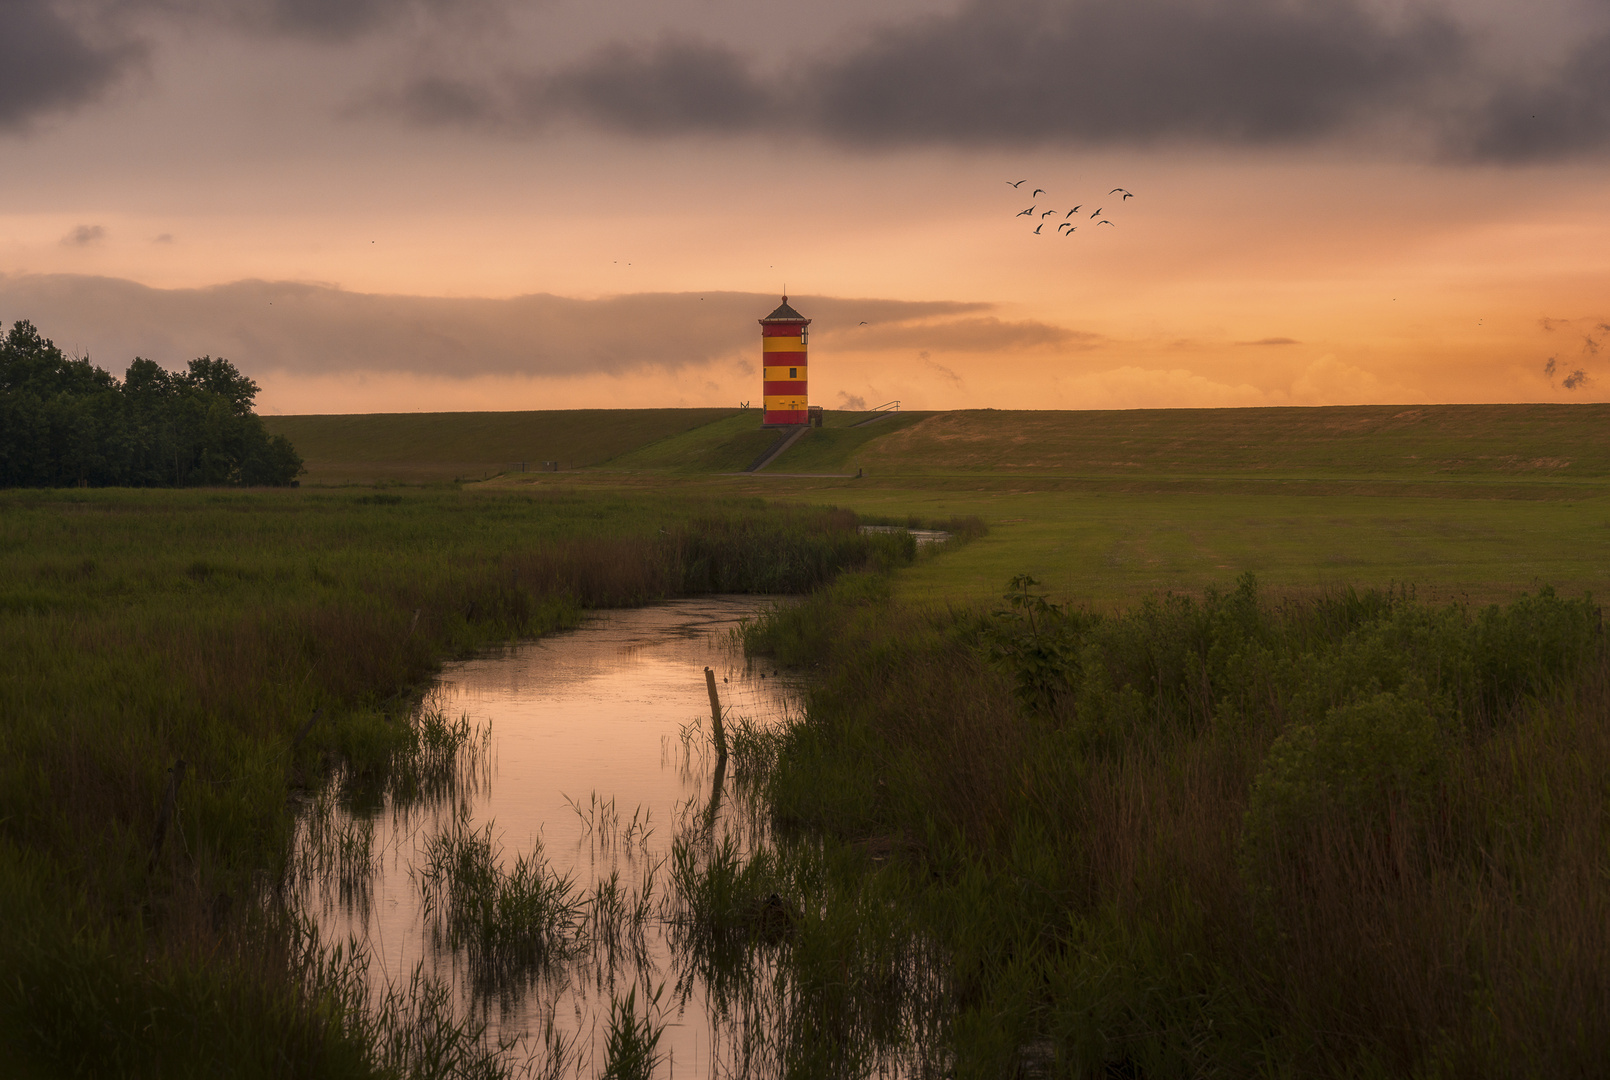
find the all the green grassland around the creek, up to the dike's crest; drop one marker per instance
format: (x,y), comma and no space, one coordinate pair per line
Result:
(1279,756)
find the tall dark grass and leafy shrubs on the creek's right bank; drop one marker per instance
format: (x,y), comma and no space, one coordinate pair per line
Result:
(1342,835)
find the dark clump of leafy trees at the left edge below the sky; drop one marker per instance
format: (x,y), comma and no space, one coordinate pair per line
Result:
(65,423)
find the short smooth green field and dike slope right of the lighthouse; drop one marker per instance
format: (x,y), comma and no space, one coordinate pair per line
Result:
(1476,501)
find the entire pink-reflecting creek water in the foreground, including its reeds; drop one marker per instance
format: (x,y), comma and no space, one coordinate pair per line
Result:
(540,876)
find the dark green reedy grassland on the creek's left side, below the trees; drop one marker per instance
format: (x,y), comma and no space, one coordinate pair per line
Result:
(265,640)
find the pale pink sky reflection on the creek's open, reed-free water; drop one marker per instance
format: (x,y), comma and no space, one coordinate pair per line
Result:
(592,712)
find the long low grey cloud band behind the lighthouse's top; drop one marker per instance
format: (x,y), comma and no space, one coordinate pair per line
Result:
(320,329)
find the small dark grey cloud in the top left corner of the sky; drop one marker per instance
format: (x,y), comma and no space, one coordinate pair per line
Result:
(47,62)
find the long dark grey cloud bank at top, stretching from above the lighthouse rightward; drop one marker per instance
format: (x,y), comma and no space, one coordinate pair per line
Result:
(1025,73)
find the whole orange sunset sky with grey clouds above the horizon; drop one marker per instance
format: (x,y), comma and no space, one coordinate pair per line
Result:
(1360,260)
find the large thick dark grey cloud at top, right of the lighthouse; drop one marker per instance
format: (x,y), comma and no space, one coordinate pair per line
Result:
(1117,72)
